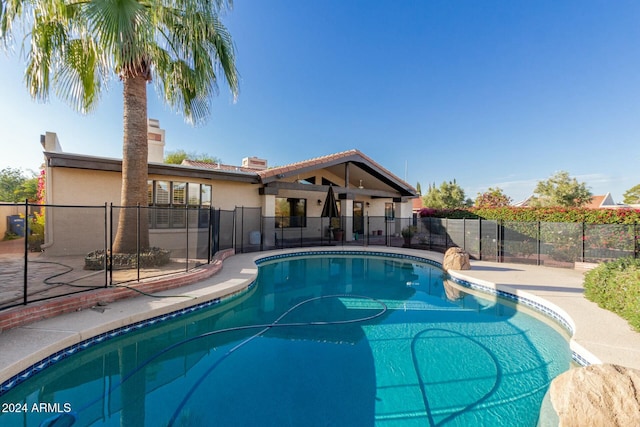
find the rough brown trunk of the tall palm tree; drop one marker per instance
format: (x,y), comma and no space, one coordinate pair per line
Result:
(134,169)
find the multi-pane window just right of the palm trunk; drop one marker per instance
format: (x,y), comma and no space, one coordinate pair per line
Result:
(168,202)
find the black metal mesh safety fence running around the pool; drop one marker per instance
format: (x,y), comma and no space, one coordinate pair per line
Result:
(55,250)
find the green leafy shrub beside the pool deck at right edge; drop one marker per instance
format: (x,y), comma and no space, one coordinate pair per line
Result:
(615,286)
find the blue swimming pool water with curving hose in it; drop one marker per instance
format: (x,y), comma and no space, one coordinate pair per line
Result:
(316,341)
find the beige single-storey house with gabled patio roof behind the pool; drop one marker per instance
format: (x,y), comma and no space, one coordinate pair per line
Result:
(285,197)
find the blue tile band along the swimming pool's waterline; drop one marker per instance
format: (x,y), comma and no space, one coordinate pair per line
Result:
(17,379)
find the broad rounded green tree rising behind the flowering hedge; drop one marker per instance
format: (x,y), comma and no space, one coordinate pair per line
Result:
(561,190)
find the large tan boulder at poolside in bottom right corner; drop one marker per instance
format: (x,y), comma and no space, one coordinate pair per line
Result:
(597,395)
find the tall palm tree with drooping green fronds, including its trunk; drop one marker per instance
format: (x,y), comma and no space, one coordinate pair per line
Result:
(78,46)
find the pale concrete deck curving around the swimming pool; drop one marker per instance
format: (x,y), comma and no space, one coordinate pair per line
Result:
(606,336)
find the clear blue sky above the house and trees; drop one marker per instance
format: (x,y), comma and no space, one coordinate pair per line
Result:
(489,93)
